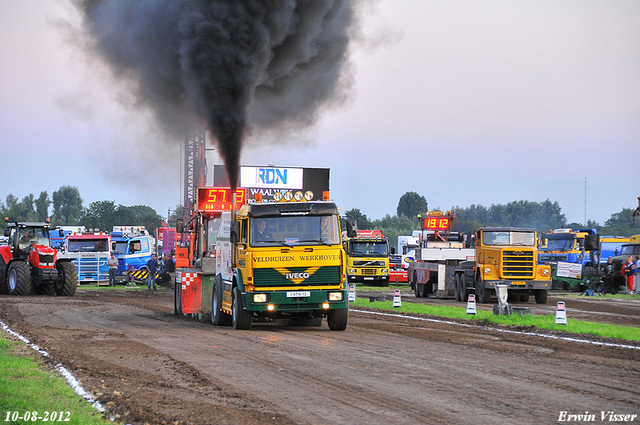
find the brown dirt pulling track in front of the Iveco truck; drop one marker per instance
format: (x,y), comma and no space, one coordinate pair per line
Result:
(149,366)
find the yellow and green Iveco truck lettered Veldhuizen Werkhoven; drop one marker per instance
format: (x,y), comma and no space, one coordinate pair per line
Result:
(281,259)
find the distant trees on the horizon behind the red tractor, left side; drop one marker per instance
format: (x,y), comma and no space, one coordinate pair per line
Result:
(65,208)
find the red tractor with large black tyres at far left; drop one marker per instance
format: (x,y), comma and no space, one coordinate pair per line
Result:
(28,264)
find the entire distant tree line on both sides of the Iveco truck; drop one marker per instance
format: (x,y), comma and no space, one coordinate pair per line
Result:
(65,208)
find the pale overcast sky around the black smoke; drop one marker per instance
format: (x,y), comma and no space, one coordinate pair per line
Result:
(463,102)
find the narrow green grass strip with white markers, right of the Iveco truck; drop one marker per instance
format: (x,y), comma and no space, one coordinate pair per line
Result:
(543,322)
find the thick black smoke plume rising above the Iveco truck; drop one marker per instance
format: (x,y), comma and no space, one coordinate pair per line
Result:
(240,66)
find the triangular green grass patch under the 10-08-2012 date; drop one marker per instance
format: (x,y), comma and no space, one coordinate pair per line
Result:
(27,387)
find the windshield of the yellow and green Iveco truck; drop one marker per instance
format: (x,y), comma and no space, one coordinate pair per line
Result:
(295,230)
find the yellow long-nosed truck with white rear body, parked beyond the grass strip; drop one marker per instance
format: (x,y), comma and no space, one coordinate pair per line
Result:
(495,255)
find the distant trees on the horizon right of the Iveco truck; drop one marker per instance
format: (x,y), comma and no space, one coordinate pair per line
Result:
(542,216)
